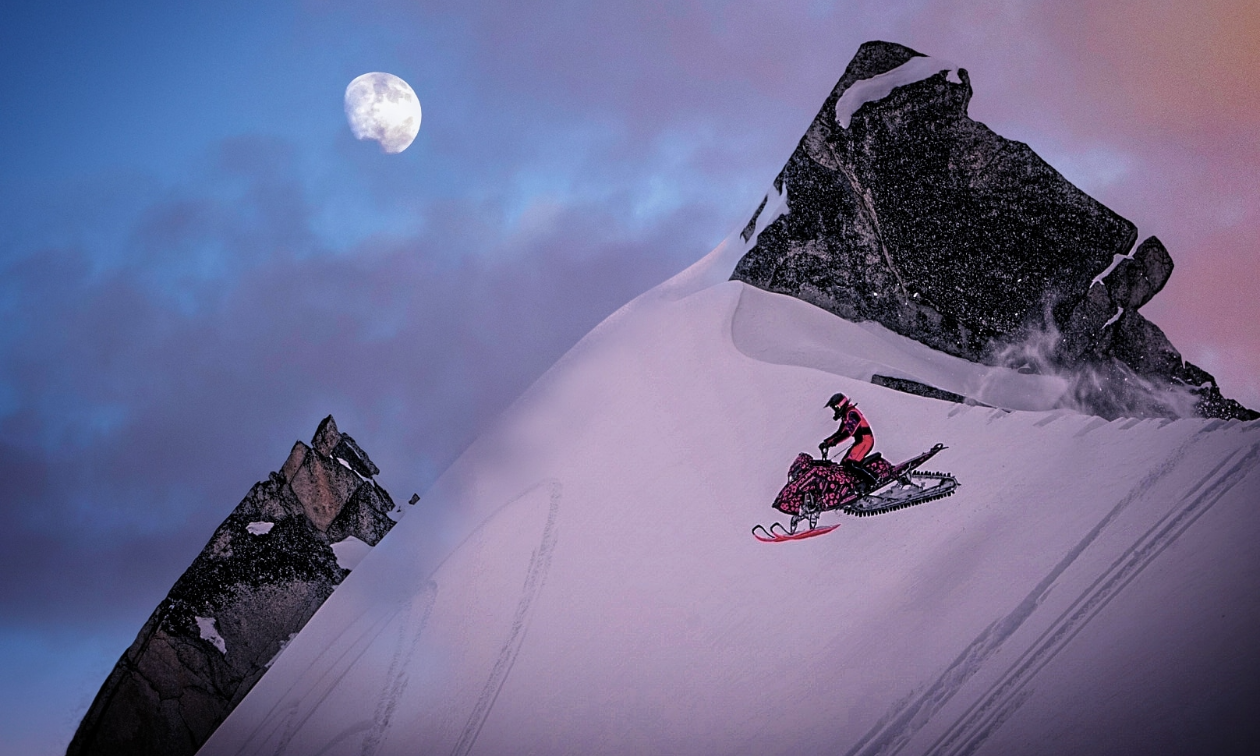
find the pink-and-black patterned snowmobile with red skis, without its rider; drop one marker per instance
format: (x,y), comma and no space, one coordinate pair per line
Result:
(822,486)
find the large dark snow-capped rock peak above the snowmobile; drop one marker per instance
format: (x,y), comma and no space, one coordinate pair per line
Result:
(914,216)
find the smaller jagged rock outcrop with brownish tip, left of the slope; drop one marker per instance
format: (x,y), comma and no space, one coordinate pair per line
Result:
(255,585)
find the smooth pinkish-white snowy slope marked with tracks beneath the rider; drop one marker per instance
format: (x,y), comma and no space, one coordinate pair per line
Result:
(1091,588)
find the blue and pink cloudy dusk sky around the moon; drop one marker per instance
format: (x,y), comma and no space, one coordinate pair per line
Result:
(198,261)
